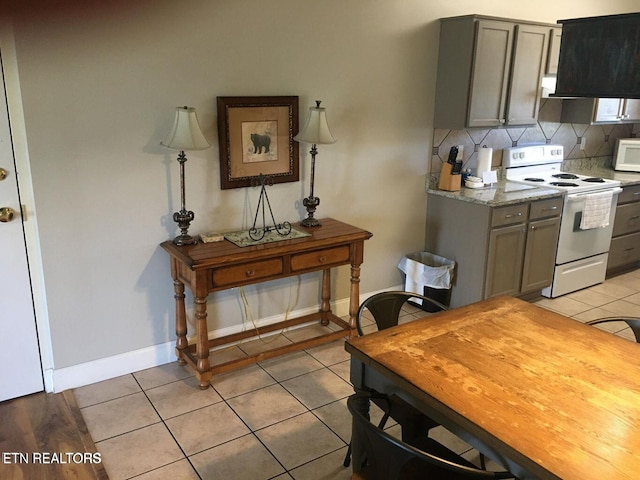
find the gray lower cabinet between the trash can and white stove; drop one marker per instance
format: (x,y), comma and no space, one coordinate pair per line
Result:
(498,250)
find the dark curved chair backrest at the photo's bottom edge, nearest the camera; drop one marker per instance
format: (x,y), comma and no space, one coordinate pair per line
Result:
(388,458)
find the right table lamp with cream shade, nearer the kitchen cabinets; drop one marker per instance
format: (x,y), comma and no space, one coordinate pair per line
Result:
(315,131)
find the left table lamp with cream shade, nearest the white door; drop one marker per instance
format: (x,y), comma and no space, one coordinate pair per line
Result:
(184,135)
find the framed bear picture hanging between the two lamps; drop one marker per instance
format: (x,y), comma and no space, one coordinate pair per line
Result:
(256,137)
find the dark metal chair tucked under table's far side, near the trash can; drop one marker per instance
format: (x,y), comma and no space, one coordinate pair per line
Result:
(385,308)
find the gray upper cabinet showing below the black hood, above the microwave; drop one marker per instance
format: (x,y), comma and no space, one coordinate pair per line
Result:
(600,110)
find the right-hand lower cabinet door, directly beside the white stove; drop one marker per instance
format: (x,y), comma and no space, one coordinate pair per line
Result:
(540,254)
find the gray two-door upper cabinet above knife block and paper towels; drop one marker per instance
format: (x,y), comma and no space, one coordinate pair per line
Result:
(489,72)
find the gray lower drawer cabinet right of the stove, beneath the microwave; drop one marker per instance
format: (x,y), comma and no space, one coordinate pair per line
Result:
(624,253)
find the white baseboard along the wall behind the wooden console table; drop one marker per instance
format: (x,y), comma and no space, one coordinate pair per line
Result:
(58,380)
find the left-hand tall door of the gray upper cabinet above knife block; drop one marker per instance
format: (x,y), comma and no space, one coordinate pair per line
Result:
(490,75)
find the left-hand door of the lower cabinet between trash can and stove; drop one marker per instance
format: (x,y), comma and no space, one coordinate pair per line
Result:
(504,262)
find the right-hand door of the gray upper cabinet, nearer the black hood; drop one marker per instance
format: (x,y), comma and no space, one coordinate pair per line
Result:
(529,58)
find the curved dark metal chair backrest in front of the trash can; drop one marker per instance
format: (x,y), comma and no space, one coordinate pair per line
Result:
(385,307)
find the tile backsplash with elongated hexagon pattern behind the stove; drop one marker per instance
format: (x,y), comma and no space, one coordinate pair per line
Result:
(599,140)
